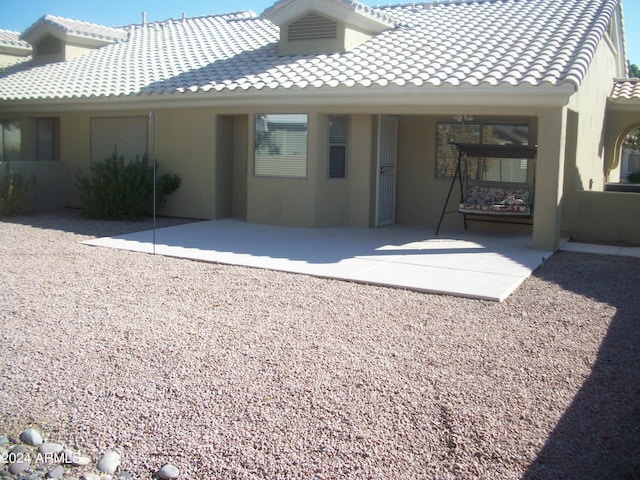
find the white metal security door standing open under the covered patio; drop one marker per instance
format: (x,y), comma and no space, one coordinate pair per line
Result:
(386,170)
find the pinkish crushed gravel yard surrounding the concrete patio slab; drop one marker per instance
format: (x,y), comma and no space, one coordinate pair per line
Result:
(232,372)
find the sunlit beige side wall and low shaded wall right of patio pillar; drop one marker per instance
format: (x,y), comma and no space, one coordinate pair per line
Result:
(588,213)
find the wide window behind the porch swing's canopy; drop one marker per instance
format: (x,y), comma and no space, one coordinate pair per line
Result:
(486,169)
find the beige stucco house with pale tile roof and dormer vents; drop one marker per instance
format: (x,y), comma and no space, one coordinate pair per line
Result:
(330,113)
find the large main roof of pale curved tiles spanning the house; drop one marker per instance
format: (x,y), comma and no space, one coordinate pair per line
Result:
(462,42)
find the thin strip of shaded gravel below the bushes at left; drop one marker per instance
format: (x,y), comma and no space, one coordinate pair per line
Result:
(71,221)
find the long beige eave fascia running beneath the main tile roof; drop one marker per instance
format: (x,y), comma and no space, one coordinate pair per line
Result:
(372,98)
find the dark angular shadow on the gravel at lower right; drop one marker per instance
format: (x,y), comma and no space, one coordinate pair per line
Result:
(599,435)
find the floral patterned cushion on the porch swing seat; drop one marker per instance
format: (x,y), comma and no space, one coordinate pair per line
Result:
(496,201)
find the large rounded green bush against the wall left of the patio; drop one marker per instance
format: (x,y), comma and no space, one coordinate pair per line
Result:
(119,190)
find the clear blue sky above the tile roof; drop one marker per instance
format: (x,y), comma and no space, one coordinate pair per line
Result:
(20,15)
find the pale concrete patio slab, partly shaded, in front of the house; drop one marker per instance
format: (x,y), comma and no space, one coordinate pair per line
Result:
(485,264)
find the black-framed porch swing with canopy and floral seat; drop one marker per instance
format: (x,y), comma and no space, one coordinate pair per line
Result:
(490,203)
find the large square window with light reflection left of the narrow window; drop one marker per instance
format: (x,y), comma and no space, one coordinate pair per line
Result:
(281,145)
